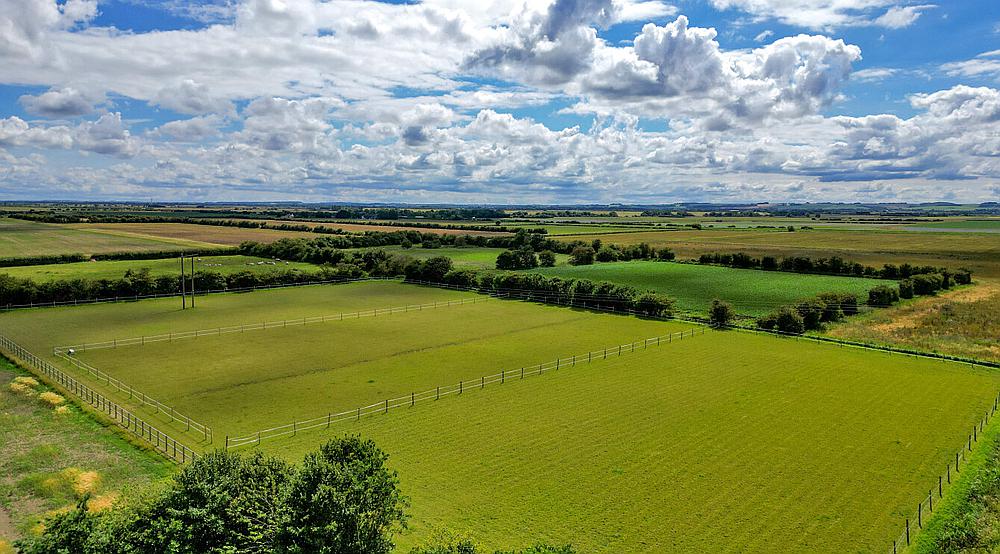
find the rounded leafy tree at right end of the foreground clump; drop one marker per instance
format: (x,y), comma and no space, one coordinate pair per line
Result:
(343,499)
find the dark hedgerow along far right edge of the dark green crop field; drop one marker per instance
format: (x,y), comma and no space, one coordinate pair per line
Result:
(829,266)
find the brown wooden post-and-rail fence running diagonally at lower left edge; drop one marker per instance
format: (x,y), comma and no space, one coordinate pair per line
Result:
(160,441)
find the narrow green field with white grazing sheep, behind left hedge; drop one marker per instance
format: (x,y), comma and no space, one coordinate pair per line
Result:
(113,269)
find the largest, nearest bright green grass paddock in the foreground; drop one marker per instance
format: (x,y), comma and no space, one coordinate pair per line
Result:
(727,442)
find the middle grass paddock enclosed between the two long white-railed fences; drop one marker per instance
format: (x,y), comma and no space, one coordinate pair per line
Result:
(242,382)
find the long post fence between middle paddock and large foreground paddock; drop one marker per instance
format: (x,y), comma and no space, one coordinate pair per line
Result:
(437,393)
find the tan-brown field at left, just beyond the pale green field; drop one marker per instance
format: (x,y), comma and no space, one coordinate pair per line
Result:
(213,235)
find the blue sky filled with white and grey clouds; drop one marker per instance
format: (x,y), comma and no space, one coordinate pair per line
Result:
(502,102)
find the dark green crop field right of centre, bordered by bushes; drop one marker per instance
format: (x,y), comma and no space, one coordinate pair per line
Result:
(750,291)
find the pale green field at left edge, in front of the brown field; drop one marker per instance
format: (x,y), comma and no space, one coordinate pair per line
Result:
(27,238)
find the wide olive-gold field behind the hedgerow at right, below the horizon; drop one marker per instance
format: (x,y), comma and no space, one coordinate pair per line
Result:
(977,251)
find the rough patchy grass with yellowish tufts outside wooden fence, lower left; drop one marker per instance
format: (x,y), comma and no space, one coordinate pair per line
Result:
(49,459)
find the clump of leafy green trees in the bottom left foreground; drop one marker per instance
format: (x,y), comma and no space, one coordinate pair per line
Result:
(342,498)
